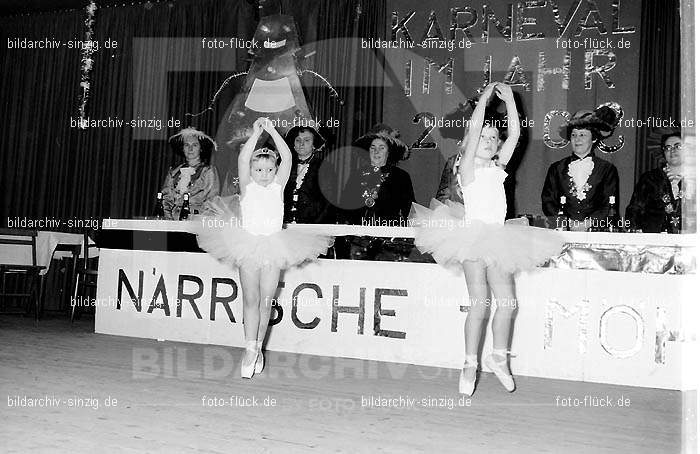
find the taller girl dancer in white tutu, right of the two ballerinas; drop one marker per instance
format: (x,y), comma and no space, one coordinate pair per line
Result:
(474,237)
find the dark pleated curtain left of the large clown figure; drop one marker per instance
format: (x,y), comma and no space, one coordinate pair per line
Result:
(53,169)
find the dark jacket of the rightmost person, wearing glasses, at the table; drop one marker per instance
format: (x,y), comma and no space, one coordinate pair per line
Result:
(653,207)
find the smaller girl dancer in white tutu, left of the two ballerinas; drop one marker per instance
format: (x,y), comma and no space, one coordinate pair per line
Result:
(249,235)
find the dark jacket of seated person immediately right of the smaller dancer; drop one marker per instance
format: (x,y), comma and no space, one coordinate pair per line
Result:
(308,203)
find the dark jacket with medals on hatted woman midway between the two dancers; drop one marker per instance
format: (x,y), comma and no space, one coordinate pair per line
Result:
(393,201)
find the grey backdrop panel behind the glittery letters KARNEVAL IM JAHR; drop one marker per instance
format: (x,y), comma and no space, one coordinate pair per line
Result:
(534,156)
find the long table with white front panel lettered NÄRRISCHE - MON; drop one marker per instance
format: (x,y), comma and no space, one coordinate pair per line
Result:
(612,308)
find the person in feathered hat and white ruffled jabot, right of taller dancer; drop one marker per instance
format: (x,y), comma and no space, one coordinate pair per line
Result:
(586,180)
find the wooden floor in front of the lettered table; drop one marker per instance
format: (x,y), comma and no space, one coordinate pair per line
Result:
(164,396)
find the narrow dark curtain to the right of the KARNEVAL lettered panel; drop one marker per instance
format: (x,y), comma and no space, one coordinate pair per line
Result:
(659,77)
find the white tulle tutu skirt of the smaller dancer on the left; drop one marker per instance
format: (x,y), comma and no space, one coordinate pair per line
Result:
(220,233)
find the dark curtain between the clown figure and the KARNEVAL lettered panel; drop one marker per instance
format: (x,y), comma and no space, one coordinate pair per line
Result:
(332,33)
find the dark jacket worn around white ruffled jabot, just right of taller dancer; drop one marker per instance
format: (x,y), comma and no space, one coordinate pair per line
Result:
(602,183)
